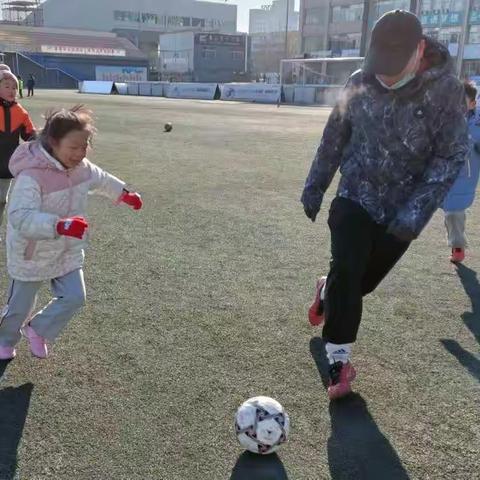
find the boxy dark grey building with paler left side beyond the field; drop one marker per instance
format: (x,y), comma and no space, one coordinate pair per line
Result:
(202,57)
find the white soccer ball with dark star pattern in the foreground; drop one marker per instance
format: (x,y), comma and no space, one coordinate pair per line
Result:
(261,425)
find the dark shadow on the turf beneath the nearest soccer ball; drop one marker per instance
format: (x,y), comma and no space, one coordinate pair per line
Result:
(251,466)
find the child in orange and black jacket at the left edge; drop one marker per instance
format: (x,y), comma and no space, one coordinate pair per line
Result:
(15,123)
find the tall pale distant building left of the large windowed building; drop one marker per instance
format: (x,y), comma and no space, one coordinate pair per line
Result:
(269,42)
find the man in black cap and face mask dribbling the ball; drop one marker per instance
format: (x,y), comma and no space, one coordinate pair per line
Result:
(400,139)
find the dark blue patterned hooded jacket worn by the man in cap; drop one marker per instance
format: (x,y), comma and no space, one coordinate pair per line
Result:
(400,151)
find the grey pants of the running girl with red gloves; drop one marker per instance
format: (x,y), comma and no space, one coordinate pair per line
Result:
(68,297)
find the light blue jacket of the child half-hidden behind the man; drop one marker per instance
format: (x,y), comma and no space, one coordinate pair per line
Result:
(462,194)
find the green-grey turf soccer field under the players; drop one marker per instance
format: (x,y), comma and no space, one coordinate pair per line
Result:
(199,302)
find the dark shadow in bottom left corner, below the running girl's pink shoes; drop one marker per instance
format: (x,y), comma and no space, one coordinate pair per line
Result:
(14,404)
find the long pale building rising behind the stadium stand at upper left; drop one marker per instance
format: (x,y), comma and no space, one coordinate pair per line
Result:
(141,21)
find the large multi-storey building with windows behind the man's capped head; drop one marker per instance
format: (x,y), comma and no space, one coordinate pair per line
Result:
(333,28)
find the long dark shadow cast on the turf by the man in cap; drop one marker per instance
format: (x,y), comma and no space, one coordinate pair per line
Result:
(357,449)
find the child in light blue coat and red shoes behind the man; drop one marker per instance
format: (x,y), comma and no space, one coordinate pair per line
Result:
(462,194)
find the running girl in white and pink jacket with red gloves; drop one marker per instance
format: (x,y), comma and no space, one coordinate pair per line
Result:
(47,227)
